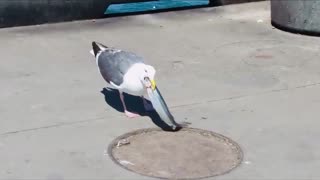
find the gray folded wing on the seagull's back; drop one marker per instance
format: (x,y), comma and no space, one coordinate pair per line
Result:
(113,64)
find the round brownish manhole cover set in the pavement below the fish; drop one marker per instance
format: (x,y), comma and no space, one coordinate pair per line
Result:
(186,154)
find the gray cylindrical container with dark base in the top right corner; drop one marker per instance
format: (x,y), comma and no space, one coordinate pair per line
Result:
(298,16)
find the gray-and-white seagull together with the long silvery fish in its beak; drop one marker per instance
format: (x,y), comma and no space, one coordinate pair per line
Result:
(128,73)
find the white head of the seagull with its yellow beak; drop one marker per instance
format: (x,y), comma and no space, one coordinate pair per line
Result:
(147,78)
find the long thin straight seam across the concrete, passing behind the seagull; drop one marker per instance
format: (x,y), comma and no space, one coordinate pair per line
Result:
(173,107)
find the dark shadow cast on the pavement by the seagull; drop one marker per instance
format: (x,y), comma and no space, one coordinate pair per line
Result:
(134,104)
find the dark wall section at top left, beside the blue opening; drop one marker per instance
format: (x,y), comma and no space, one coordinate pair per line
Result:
(26,12)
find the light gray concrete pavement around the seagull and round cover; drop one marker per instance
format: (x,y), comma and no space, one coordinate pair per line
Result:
(224,69)
